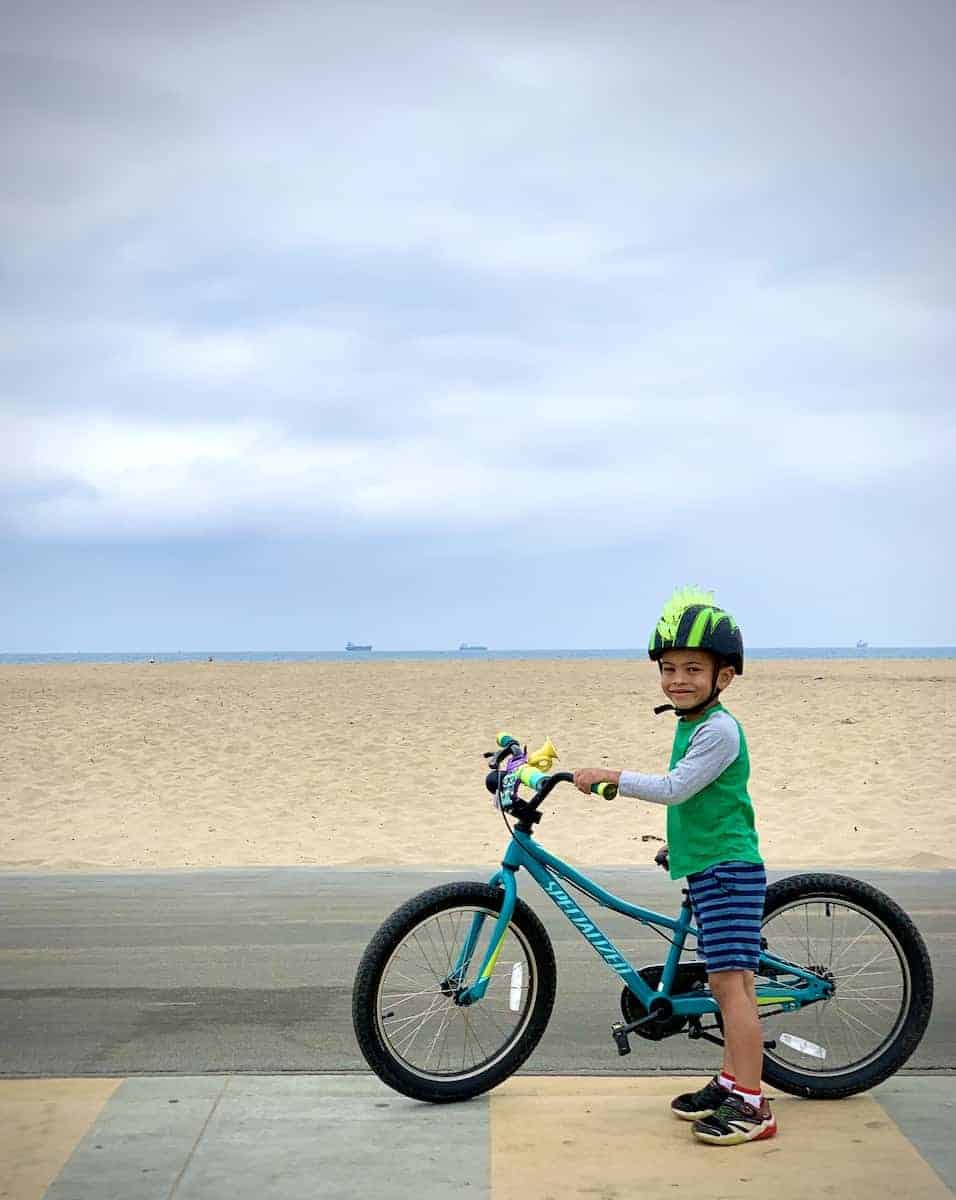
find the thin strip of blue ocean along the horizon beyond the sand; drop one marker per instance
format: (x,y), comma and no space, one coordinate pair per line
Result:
(757,653)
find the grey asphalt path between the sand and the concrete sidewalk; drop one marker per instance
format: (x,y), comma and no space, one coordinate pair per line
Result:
(251,971)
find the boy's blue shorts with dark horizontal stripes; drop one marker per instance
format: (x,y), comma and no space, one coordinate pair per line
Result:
(727,903)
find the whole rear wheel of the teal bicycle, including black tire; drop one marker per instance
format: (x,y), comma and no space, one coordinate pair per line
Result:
(863,941)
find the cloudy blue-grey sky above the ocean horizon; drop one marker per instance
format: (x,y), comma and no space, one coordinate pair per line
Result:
(425,323)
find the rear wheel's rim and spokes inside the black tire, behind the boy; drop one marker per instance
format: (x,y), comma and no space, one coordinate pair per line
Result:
(863,957)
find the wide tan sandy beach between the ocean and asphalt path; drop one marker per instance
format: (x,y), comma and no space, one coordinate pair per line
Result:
(380,764)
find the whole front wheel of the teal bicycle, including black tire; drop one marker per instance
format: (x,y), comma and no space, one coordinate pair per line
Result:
(410,1028)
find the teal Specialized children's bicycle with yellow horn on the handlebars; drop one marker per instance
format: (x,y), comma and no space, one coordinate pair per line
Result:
(458,987)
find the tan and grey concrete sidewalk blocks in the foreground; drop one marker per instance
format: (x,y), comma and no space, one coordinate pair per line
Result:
(534,1138)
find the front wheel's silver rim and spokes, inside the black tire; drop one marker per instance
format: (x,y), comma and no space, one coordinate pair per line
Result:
(420,1024)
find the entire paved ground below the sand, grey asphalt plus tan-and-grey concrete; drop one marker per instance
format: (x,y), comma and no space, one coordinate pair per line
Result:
(152,1028)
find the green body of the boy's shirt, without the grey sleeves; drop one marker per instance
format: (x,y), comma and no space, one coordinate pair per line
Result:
(717,824)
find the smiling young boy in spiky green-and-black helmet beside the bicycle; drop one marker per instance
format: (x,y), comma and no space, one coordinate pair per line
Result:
(713,842)
